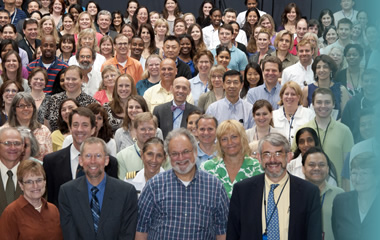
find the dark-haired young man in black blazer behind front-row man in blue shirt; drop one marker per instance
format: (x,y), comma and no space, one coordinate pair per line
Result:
(62,166)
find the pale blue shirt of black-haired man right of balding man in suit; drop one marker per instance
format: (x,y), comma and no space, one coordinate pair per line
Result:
(224,110)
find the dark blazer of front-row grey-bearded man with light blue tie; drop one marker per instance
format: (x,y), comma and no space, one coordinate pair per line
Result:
(244,220)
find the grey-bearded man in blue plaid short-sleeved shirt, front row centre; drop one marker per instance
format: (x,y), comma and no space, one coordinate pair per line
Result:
(182,203)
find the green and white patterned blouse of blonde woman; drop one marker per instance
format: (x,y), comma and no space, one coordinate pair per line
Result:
(250,167)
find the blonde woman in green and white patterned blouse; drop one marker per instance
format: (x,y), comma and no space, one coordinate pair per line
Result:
(233,163)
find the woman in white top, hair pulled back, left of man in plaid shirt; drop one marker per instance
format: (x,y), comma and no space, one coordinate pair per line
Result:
(153,156)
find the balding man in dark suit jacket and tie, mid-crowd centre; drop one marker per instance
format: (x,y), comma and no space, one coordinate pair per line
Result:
(173,114)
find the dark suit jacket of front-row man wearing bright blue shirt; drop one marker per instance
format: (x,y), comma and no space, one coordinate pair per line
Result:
(118,216)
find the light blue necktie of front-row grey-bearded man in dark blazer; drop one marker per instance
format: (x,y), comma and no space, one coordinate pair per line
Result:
(272,226)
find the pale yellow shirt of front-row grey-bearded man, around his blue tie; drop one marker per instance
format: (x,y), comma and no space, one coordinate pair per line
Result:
(283,204)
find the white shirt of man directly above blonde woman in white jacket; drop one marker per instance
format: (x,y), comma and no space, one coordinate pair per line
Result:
(297,73)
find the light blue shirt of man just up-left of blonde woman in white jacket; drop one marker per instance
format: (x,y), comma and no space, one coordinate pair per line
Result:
(261,92)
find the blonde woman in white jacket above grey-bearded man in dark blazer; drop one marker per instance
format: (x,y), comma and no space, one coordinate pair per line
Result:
(291,115)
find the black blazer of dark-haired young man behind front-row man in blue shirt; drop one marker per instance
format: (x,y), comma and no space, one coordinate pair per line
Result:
(57,167)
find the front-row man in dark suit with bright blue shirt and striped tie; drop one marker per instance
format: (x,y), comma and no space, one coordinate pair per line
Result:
(96,206)
